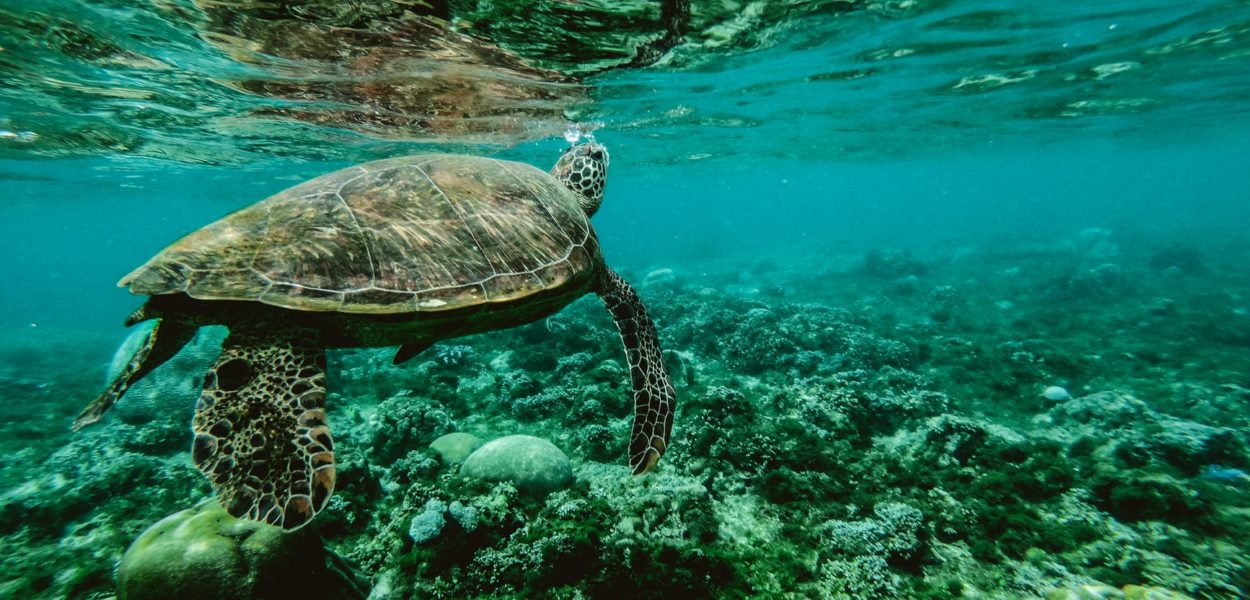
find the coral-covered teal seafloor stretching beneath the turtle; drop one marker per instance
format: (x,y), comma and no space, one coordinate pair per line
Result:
(852,423)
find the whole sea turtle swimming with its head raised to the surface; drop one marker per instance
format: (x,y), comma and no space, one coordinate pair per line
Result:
(402,252)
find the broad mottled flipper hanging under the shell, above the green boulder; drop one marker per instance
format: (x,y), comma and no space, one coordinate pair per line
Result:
(262,434)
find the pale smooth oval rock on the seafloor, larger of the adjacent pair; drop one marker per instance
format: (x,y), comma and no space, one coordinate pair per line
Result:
(533,464)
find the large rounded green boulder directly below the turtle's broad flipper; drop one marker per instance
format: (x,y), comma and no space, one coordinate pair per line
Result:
(204,553)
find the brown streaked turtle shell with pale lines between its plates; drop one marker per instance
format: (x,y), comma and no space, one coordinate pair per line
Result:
(424,233)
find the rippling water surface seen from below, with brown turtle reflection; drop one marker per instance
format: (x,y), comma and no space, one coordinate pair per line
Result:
(236,83)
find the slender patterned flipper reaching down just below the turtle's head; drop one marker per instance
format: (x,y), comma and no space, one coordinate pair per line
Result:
(654,399)
